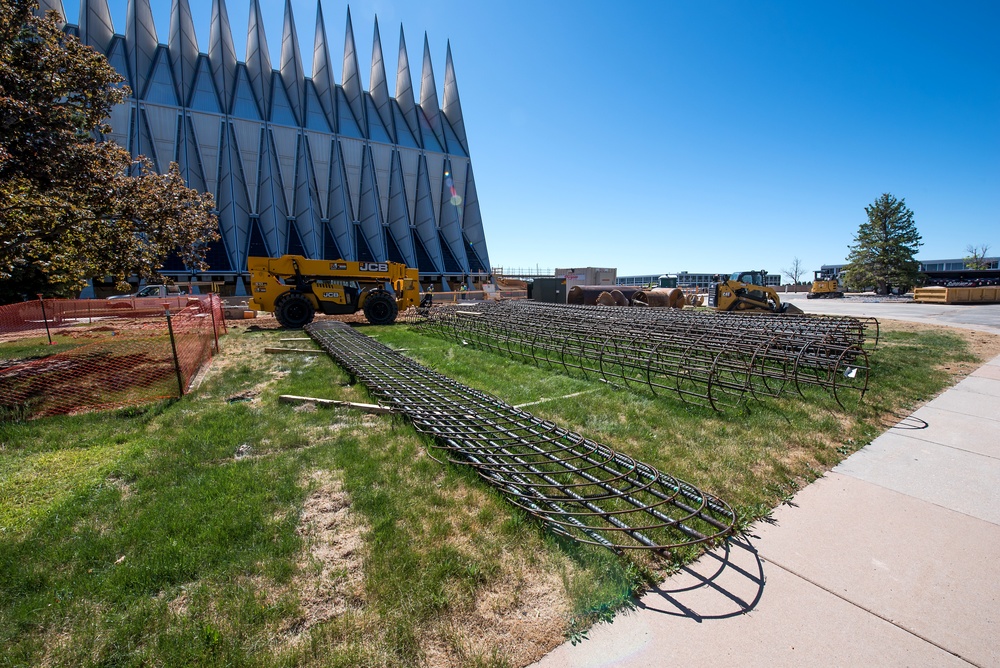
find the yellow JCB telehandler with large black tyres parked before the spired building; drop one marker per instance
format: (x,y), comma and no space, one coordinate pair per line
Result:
(295,288)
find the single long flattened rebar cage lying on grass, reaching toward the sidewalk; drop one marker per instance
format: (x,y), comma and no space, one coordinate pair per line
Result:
(577,487)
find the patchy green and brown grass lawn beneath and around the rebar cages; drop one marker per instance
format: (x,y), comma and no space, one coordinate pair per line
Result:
(227,528)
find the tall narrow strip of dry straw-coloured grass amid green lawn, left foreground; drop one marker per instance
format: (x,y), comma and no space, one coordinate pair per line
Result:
(331,577)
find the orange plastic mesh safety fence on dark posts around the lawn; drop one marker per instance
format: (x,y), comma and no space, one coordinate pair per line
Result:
(60,356)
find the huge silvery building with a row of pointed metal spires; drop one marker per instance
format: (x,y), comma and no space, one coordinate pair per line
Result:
(297,164)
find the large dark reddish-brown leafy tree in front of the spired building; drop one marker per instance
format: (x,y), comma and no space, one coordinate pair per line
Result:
(73,206)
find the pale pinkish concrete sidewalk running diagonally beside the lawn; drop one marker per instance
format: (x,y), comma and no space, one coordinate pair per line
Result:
(891,559)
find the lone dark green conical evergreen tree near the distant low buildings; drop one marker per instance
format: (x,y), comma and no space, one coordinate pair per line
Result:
(884,248)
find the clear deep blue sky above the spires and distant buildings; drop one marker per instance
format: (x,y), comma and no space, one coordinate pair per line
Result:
(696,135)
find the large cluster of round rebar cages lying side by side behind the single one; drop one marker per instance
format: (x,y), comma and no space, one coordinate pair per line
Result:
(708,358)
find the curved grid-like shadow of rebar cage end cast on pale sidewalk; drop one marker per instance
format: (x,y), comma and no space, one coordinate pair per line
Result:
(725,582)
